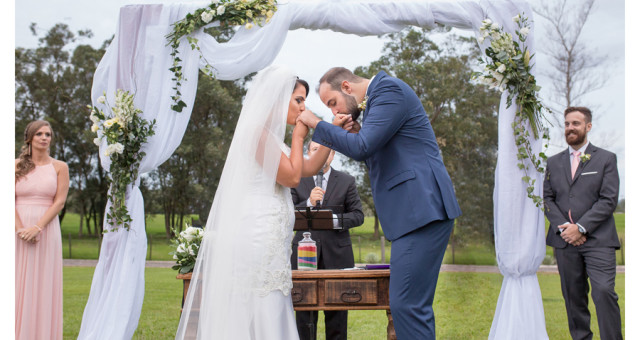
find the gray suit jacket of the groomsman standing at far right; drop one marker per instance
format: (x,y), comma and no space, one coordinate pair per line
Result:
(592,197)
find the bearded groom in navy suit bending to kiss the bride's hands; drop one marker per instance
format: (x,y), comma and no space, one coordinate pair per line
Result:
(411,188)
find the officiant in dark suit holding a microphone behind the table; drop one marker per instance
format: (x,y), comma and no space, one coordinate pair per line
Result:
(335,190)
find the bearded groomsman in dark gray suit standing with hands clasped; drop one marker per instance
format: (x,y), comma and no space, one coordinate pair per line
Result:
(580,194)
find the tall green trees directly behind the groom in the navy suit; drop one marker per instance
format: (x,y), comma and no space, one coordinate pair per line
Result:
(463,116)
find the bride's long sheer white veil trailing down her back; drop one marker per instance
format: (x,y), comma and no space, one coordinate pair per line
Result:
(223,278)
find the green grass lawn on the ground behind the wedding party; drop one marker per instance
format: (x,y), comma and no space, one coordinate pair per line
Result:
(464,306)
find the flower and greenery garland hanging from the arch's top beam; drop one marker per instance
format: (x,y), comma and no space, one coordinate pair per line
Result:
(227,12)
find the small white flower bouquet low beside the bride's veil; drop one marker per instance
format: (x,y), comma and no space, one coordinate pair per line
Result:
(187,244)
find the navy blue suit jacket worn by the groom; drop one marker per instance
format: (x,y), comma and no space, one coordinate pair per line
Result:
(409,182)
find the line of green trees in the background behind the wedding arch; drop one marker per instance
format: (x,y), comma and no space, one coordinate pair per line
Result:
(53,82)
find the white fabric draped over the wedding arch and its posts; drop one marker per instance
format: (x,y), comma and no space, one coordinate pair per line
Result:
(138,60)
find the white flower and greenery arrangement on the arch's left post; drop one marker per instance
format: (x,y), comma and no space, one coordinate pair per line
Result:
(125,131)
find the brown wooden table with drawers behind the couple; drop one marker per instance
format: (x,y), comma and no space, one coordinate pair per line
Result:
(315,290)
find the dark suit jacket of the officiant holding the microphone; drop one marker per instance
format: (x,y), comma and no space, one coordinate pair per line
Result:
(334,246)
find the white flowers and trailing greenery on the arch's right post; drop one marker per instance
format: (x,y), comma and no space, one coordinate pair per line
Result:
(507,66)
